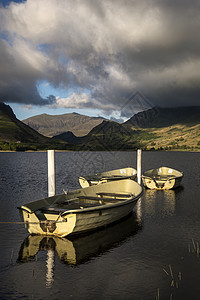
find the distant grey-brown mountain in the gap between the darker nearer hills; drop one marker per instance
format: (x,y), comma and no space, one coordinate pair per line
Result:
(52,125)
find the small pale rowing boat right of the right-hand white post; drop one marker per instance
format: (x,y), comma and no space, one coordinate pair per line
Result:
(163,178)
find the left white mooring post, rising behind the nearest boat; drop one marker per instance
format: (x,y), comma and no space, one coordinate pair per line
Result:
(51,174)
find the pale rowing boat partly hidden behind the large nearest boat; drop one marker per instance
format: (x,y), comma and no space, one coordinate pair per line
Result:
(98,178)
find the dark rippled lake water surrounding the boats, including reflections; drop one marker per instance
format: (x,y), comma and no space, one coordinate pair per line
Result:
(153,254)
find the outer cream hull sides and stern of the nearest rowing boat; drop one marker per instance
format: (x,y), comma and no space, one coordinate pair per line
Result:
(75,223)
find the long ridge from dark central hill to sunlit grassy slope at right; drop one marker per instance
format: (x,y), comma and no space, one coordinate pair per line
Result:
(158,128)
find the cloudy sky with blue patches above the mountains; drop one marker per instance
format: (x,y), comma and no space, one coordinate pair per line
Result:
(108,57)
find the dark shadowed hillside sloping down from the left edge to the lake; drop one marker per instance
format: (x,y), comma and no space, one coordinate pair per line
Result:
(16,132)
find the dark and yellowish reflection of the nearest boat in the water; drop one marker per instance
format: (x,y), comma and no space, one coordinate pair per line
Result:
(82,248)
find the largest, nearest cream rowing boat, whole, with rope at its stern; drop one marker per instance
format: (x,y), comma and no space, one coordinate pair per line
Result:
(81,210)
